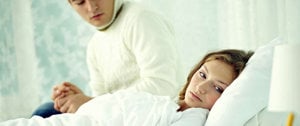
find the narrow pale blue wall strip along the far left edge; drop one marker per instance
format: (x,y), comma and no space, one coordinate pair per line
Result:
(8,78)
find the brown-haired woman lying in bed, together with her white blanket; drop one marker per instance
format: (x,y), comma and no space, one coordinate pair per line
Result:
(205,83)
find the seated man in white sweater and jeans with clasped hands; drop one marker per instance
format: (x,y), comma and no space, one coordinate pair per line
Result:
(135,49)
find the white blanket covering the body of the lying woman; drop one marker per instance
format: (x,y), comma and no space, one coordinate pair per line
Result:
(122,108)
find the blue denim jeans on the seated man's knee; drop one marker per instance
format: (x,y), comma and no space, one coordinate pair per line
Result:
(45,110)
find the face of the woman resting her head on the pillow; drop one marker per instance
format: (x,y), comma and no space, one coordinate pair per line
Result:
(208,83)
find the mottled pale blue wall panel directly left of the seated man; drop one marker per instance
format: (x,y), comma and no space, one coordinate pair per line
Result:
(60,40)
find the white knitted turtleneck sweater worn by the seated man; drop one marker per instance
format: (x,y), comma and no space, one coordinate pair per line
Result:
(138,52)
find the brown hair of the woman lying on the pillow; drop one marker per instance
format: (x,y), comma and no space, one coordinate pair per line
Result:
(236,58)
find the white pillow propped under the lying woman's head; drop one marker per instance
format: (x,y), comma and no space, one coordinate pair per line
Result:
(248,94)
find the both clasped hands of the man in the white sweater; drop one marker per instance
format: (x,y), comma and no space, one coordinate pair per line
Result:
(68,98)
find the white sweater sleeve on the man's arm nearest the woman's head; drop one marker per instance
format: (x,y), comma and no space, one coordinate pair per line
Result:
(152,41)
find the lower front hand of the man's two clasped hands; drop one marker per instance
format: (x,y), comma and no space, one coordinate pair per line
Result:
(70,103)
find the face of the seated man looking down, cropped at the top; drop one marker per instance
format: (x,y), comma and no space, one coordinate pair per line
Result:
(96,12)
